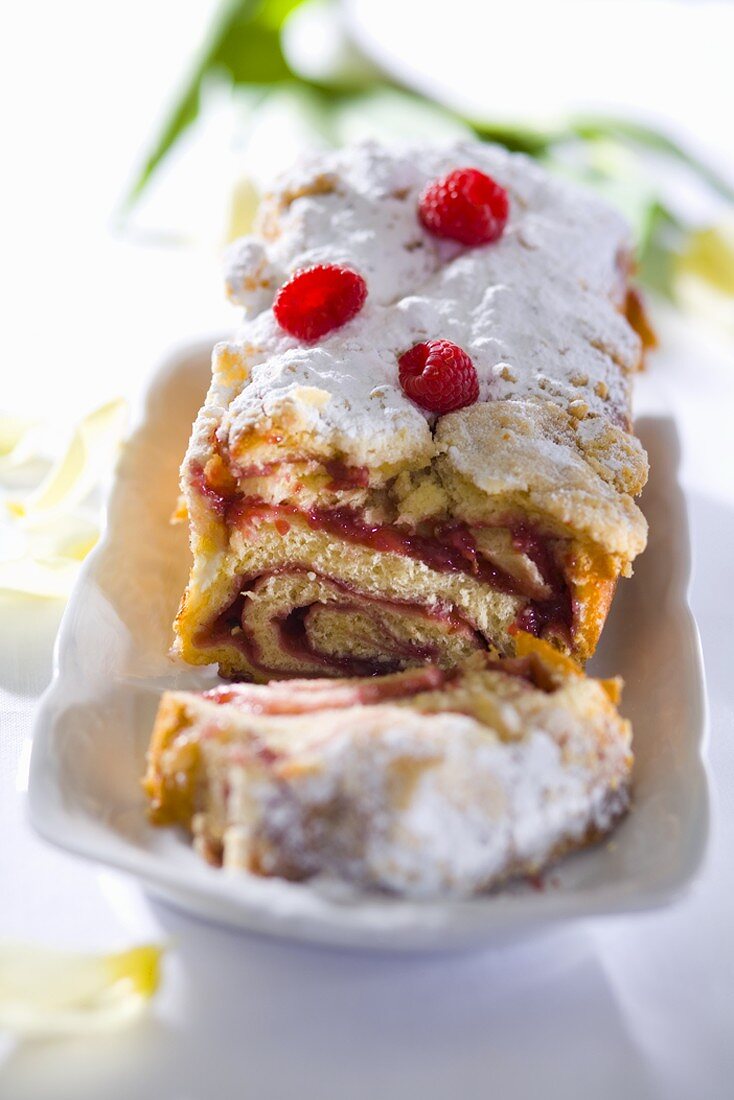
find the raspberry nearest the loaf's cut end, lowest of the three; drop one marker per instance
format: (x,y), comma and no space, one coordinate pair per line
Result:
(440,377)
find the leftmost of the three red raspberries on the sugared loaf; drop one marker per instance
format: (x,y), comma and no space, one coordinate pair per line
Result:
(319,300)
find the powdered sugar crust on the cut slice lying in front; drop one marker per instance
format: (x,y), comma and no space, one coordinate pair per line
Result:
(477,808)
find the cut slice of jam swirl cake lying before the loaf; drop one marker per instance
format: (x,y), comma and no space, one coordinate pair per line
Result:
(422,783)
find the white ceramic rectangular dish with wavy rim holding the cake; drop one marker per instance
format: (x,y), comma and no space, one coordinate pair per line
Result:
(112,664)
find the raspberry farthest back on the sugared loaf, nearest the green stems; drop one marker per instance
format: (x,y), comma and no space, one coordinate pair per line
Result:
(466,206)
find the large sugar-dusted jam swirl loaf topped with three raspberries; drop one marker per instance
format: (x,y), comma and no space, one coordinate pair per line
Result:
(420,441)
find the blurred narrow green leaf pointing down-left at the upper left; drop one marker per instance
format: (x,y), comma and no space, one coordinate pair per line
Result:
(245,46)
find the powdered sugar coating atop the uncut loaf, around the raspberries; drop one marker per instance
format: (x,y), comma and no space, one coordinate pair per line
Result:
(536,311)
